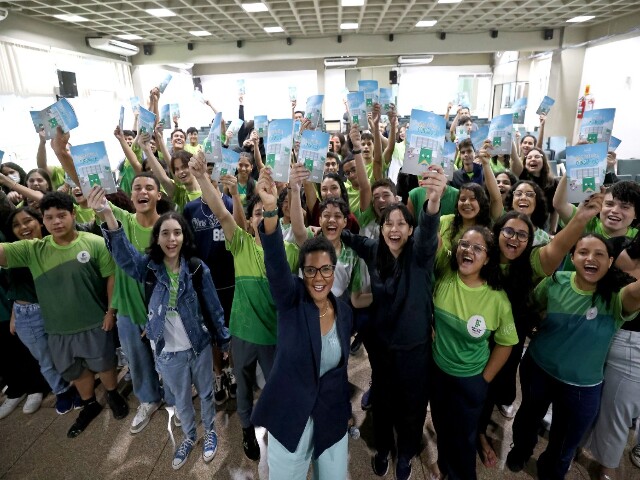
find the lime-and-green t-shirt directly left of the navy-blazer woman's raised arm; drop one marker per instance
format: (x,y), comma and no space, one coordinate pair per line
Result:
(253,313)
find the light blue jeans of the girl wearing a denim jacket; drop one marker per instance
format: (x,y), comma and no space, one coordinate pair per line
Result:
(179,371)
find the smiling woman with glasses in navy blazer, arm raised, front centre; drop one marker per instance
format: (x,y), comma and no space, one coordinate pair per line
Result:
(305,405)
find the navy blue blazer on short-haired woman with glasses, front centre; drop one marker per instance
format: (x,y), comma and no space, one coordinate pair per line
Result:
(295,391)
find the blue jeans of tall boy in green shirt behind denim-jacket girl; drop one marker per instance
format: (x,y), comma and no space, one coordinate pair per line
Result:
(146,385)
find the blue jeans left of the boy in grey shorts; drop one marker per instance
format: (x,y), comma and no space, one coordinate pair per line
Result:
(30,330)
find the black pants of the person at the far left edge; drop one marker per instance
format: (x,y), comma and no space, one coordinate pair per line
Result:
(18,368)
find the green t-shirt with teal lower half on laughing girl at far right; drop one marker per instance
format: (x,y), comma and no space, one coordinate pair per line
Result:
(574,338)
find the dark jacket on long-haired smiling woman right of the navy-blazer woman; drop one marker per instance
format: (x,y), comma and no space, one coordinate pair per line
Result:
(402,309)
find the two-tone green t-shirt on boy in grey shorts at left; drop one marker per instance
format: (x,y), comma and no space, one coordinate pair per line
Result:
(70,280)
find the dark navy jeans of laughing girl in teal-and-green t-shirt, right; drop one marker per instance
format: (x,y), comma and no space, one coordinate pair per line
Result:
(574,411)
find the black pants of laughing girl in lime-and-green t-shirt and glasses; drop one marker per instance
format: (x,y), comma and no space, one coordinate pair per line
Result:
(456,405)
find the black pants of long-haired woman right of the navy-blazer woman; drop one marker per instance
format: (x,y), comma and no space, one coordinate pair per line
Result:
(400,394)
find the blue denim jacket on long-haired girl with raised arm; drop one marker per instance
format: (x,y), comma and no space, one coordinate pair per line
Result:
(135,264)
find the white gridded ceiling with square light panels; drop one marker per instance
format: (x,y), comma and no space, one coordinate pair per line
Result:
(226,20)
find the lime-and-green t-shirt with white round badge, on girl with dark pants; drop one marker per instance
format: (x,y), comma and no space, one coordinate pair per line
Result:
(465,317)
